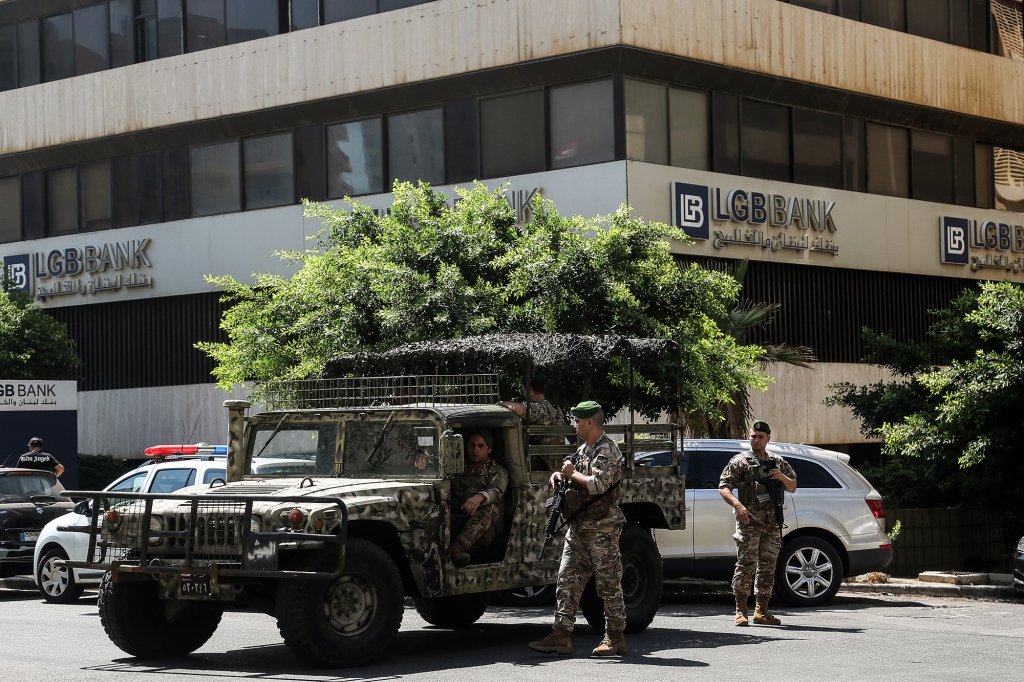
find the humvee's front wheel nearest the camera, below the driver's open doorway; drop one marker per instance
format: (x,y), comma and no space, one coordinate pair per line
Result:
(349,621)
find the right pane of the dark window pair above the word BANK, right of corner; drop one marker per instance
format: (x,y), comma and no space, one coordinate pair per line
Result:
(818,149)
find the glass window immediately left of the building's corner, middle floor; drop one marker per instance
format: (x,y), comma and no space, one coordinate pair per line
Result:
(583,124)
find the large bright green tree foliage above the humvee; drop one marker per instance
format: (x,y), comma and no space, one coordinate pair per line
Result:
(430,272)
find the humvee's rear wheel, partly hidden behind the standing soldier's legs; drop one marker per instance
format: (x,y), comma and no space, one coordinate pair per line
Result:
(642,583)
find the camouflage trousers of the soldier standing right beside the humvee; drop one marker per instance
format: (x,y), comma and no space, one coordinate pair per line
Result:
(586,553)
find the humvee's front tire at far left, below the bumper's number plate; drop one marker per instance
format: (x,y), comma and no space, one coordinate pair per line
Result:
(144,626)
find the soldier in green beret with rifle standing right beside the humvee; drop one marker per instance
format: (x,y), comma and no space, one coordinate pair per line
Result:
(592,540)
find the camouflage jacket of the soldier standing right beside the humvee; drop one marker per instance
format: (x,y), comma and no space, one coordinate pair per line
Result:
(603,465)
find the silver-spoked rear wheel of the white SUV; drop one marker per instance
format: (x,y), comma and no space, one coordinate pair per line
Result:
(809,572)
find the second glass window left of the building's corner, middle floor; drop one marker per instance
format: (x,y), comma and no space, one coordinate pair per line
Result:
(513,135)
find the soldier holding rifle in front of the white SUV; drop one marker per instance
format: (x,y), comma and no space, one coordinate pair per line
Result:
(758,537)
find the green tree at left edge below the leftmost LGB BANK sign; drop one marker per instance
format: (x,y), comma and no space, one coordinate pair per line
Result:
(33,346)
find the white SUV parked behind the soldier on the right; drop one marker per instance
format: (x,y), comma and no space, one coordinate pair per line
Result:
(835,523)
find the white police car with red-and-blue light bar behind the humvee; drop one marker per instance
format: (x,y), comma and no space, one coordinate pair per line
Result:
(173,468)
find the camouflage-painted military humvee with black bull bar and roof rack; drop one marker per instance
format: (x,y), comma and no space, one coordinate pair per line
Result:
(350,515)
